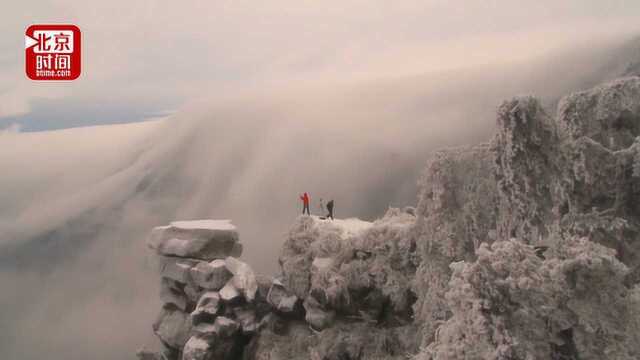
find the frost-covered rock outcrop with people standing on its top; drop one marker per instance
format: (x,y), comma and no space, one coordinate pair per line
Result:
(353,279)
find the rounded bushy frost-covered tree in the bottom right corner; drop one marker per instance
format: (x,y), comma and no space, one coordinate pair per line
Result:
(511,304)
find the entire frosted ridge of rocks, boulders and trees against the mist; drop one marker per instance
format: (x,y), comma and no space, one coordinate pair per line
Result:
(527,247)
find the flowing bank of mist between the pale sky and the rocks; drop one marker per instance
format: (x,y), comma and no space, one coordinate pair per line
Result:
(78,203)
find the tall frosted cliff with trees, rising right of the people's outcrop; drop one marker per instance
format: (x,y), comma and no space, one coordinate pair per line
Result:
(555,202)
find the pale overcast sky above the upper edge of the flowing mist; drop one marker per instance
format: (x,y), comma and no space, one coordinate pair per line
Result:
(147,59)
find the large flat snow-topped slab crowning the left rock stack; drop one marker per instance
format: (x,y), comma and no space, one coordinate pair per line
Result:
(201,239)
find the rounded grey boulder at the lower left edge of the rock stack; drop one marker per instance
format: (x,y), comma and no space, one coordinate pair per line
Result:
(172,327)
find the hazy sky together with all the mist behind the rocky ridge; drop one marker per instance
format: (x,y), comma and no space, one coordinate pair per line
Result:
(254,102)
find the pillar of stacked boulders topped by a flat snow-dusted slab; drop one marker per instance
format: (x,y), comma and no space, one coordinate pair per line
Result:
(210,297)
